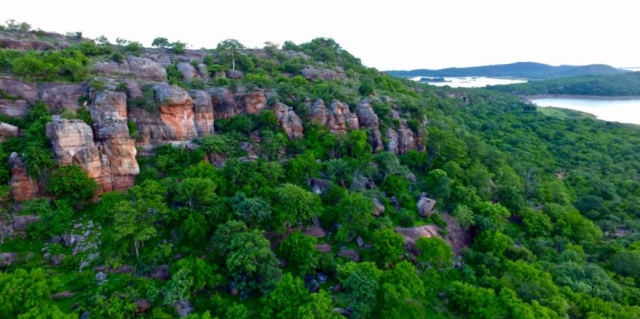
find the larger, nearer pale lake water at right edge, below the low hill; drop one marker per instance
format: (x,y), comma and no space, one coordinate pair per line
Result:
(613,110)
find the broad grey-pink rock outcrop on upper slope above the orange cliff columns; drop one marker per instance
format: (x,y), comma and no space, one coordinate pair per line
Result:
(140,68)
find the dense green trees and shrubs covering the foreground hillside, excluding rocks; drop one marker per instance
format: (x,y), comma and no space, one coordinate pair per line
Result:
(551,206)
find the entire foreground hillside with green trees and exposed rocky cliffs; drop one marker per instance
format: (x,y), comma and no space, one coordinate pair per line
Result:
(294,182)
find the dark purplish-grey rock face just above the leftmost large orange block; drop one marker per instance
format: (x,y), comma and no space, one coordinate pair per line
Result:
(59,96)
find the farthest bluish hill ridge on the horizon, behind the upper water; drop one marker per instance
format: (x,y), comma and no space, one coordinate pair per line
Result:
(529,70)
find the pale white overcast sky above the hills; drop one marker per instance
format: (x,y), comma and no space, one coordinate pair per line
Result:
(387,35)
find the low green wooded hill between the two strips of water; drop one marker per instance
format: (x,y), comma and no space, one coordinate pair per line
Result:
(627,84)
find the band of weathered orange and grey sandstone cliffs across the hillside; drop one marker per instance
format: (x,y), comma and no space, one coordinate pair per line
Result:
(105,148)
